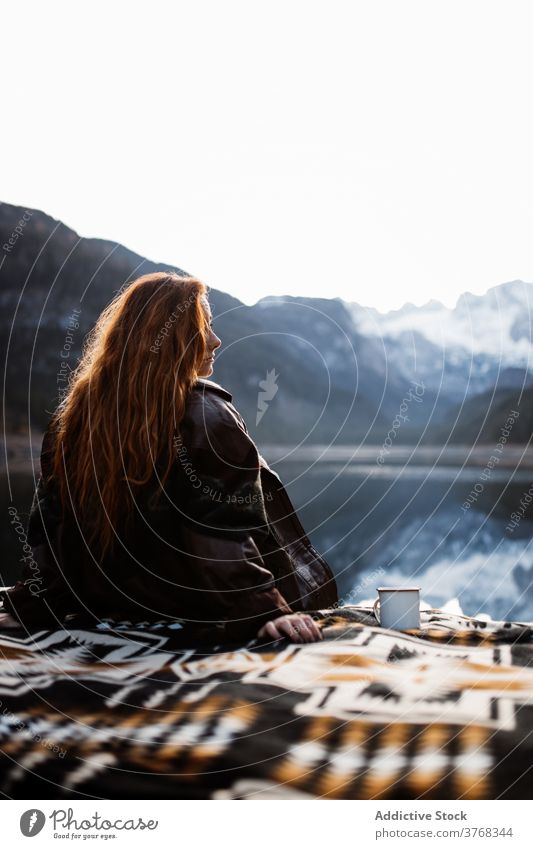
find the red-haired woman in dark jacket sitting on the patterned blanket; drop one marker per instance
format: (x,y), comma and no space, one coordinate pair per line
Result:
(153,499)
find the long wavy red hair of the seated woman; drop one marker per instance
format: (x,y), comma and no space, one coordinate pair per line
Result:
(125,399)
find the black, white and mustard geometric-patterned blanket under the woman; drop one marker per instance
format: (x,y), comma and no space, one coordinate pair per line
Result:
(149,710)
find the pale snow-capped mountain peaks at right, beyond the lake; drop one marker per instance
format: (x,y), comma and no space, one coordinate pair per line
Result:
(464,356)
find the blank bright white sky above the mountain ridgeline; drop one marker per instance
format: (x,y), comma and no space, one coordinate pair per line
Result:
(379,151)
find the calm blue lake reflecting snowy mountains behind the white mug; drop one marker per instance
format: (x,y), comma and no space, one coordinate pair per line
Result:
(441,518)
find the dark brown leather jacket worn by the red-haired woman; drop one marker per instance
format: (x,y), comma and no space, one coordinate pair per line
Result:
(222,548)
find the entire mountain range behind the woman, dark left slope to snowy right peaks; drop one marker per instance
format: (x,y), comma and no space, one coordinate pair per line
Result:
(318,370)
